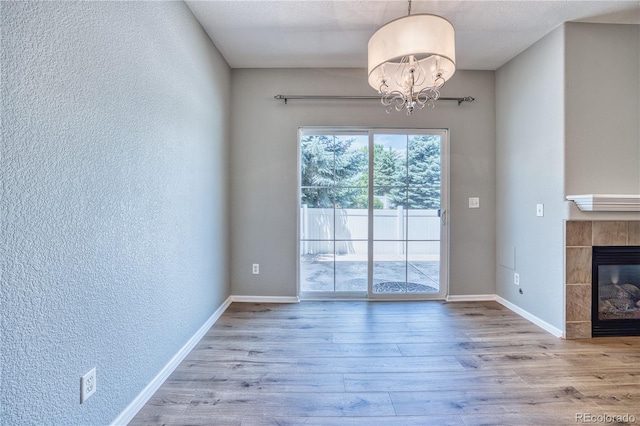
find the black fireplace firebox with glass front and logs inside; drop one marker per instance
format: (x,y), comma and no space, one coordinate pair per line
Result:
(615,308)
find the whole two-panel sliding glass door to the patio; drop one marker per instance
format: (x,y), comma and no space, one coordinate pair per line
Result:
(372,213)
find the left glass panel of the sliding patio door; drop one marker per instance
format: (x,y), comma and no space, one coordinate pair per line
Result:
(334,173)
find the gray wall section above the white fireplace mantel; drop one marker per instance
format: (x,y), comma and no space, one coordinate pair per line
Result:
(602,114)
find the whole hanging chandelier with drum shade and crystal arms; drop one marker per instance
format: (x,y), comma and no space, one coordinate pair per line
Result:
(410,59)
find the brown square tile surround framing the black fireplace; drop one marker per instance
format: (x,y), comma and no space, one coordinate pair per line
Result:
(580,237)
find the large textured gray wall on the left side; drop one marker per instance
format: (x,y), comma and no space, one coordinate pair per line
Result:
(114,231)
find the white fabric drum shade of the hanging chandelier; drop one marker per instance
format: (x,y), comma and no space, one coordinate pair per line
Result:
(429,38)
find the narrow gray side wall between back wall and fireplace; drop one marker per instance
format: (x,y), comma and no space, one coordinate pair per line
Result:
(530,170)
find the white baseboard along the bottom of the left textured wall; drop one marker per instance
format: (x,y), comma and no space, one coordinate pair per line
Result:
(132,409)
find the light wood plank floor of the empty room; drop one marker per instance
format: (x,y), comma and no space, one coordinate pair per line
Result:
(395,363)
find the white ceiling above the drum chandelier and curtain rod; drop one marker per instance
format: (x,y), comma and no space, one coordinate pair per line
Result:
(334,33)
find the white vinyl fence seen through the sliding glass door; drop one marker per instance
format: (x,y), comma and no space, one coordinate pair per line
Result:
(349,228)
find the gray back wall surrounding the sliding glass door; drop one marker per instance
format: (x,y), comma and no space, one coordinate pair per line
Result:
(264,169)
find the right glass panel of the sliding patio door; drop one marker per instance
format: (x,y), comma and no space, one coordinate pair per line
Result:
(409,213)
